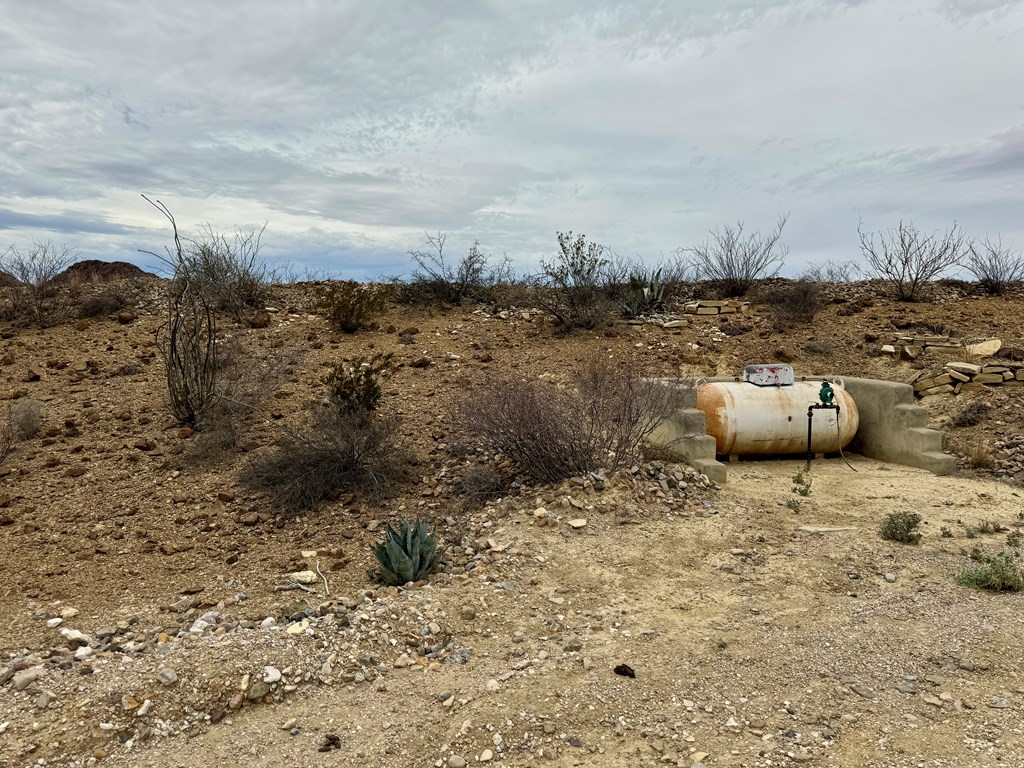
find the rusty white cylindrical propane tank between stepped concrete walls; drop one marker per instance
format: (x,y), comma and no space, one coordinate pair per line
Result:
(747,419)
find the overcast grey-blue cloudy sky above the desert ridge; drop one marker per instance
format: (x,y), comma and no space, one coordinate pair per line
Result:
(351,127)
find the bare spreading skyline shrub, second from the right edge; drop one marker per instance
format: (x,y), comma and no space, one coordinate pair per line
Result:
(909,260)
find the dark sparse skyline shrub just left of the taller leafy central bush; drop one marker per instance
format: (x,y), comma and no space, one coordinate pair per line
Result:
(474,278)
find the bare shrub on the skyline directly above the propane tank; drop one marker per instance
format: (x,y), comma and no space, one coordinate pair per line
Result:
(734,261)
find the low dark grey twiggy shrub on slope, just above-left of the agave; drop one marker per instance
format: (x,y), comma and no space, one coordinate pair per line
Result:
(334,453)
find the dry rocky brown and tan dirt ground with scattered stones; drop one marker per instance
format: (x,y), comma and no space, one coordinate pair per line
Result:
(761,632)
